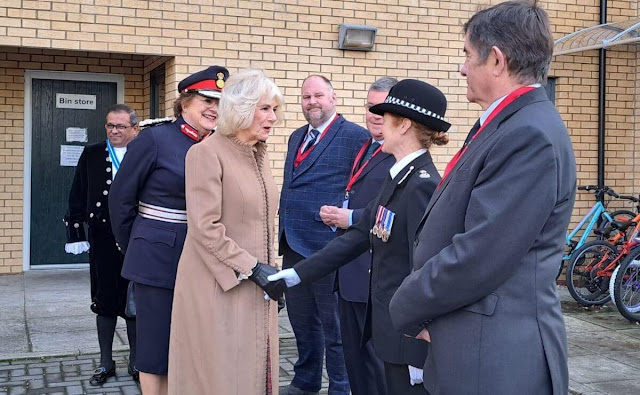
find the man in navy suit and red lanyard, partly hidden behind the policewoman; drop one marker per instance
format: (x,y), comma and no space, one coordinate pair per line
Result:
(369,171)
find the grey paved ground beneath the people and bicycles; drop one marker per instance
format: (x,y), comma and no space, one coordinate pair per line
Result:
(49,345)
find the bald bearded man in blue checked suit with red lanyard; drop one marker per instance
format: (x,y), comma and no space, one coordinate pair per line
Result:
(317,168)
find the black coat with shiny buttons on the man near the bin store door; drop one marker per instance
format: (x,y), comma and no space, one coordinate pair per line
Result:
(88,203)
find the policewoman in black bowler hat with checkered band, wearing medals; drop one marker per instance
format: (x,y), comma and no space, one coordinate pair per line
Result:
(413,121)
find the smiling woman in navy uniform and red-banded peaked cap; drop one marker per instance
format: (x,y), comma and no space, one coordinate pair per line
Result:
(148,215)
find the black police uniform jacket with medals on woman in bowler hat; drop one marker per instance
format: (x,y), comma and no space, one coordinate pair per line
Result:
(407,195)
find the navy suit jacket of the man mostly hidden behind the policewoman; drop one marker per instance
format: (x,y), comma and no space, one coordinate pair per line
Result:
(353,279)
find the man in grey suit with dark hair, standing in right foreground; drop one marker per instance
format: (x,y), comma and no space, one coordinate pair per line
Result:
(486,253)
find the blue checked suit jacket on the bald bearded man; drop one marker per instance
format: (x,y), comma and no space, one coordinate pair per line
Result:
(318,180)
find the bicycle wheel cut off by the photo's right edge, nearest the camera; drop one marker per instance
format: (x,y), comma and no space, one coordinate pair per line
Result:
(626,286)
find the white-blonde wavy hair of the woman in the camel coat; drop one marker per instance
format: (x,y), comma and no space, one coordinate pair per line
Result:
(240,96)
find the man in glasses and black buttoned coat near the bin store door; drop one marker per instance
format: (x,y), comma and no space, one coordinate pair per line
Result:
(94,174)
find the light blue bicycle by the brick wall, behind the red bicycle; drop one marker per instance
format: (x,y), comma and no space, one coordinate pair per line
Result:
(598,213)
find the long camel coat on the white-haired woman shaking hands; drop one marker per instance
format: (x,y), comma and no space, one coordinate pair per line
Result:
(223,332)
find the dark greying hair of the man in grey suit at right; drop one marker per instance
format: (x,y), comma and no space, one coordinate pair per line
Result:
(521,30)
